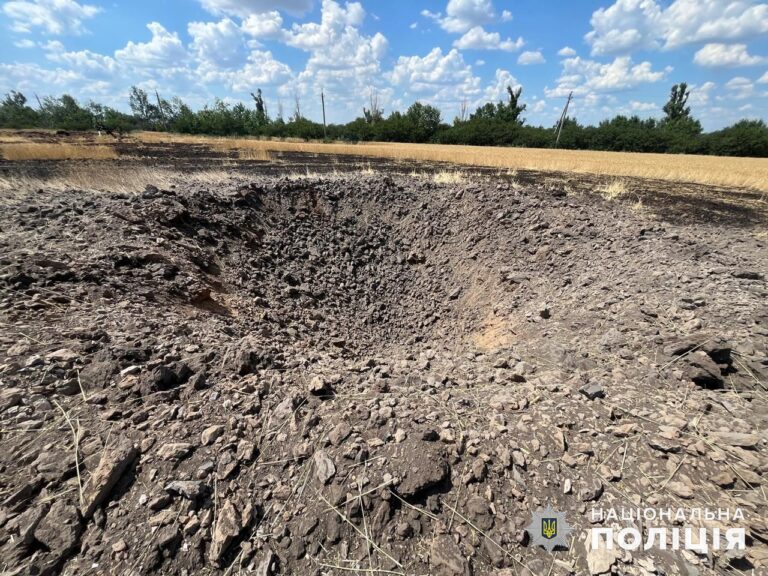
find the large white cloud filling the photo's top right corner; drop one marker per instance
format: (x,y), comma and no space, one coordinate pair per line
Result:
(629,25)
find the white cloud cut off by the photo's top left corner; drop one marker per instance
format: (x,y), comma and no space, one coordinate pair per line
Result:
(53,16)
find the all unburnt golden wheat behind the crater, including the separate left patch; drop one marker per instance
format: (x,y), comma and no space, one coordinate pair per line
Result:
(750,173)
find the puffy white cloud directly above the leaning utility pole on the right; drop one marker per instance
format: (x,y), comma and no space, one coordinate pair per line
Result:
(587,77)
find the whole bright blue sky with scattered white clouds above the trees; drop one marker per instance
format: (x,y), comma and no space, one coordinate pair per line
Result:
(617,56)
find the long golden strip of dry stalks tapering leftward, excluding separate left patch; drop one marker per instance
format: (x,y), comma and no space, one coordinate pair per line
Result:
(722,171)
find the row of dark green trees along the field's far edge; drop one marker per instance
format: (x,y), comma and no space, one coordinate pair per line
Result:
(492,124)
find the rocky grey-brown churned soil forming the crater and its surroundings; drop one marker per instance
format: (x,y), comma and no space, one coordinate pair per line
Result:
(368,372)
